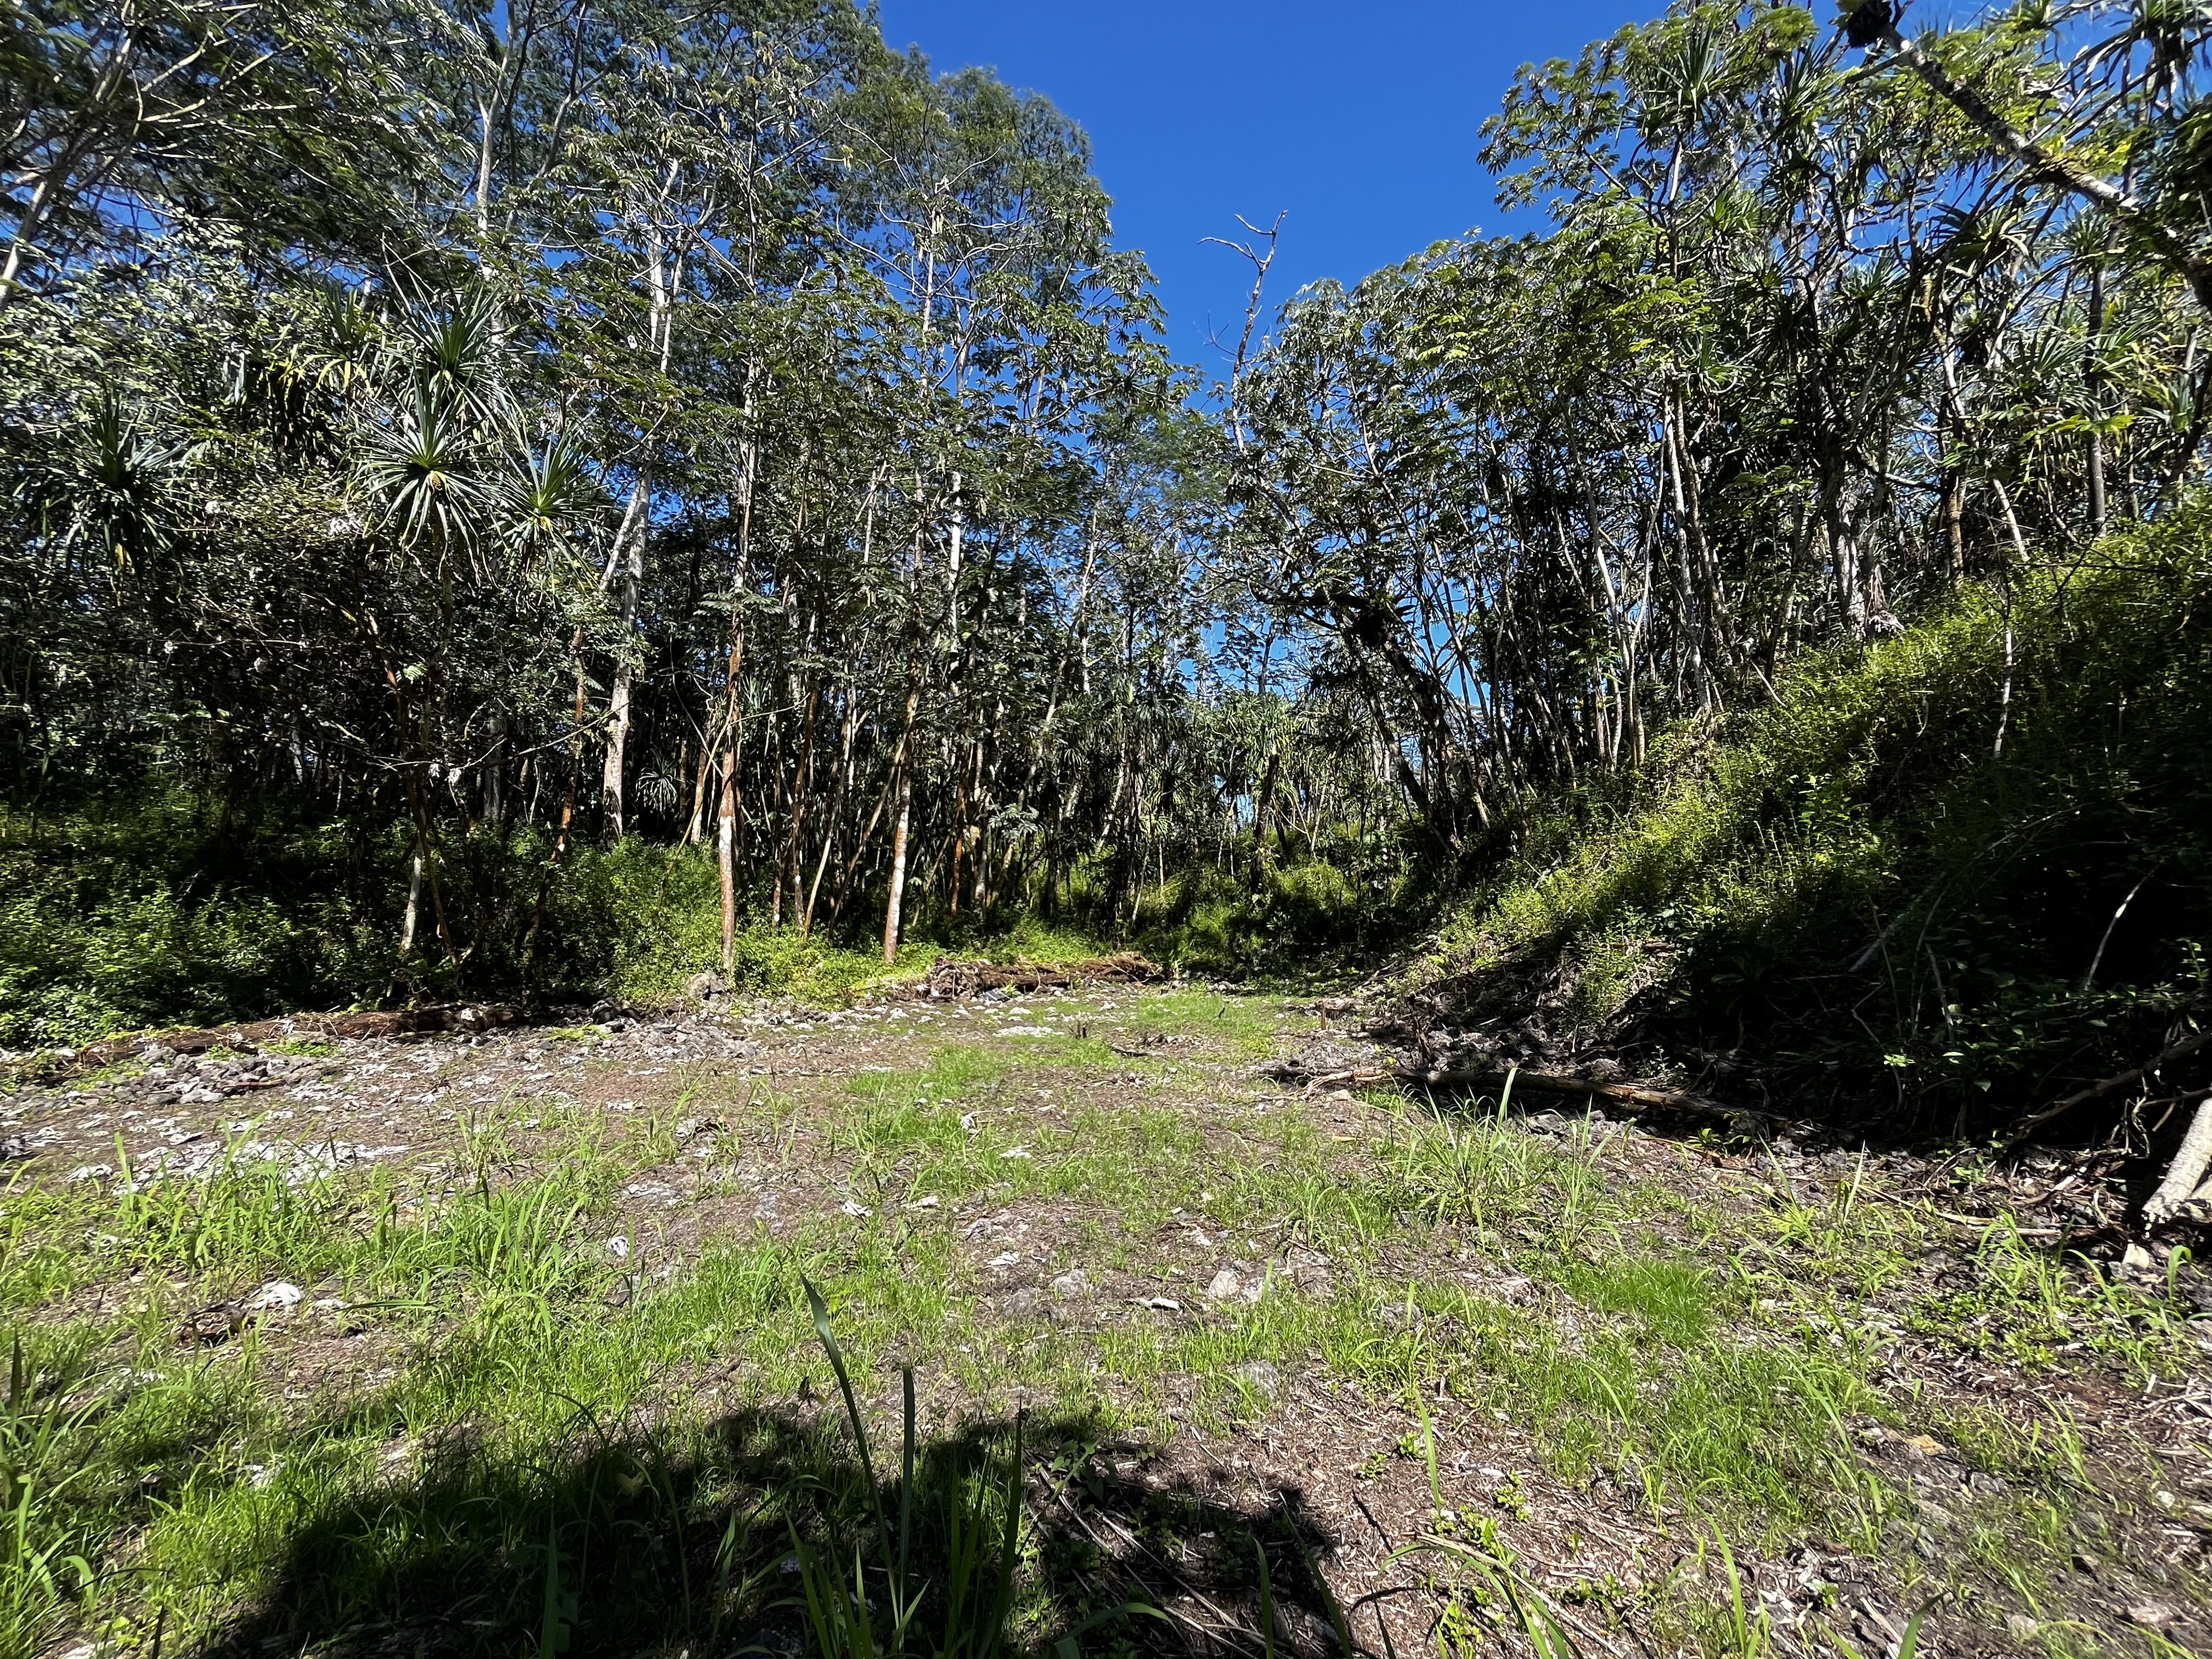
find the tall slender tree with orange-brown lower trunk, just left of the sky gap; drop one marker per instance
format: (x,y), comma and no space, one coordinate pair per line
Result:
(988,229)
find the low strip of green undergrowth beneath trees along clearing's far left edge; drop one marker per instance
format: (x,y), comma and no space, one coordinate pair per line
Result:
(165,910)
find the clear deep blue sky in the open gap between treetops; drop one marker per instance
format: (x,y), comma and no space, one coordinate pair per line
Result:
(1359,121)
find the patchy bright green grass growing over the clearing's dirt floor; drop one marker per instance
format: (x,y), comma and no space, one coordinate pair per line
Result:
(541,1439)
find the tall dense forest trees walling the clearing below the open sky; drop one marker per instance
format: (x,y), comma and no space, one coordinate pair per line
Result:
(574,421)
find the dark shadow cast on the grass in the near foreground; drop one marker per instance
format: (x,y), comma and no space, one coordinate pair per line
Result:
(662,1541)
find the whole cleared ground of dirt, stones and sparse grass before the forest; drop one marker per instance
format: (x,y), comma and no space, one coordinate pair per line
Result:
(455,1342)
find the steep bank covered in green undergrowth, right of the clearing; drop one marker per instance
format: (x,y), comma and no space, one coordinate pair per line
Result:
(1945,873)
